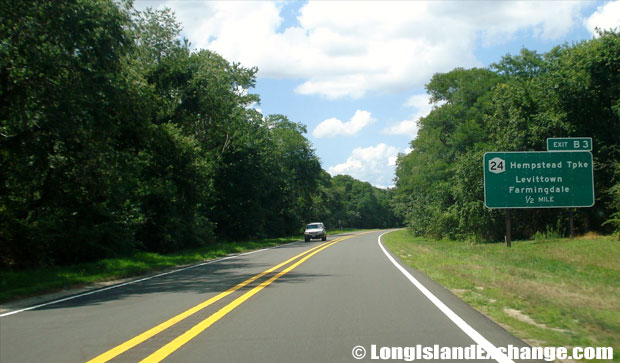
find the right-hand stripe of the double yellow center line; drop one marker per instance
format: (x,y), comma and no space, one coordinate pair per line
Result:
(182,339)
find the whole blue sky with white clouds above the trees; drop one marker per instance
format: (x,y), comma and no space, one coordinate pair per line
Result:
(354,72)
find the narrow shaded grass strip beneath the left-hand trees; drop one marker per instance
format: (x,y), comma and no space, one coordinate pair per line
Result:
(20,284)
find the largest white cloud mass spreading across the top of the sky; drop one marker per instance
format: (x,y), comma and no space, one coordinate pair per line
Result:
(350,48)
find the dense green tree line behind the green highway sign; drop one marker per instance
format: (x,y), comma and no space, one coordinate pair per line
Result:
(514,105)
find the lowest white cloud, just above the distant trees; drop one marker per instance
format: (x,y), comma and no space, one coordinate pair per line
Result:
(374,164)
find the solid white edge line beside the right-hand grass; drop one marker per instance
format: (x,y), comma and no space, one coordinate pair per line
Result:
(466,328)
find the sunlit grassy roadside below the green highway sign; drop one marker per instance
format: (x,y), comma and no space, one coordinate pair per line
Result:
(557,292)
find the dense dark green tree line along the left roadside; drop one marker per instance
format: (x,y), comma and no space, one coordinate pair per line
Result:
(116,137)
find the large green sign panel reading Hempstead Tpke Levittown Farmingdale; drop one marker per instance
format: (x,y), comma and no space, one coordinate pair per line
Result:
(538,179)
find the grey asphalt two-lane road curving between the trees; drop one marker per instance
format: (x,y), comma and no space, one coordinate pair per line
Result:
(301,302)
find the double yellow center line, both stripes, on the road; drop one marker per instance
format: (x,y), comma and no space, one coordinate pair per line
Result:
(175,344)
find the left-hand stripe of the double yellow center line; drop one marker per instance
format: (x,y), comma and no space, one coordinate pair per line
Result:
(112,353)
